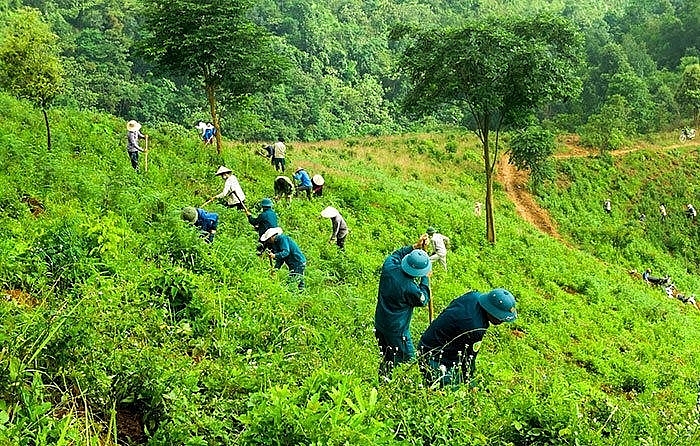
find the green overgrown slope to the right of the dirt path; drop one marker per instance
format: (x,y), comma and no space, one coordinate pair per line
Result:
(637,183)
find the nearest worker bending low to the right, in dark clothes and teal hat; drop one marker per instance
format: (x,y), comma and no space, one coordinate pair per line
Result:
(451,342)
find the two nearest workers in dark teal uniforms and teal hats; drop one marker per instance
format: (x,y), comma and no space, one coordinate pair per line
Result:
(449,345)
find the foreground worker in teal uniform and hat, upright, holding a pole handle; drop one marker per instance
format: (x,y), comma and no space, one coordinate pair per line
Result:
(403,285)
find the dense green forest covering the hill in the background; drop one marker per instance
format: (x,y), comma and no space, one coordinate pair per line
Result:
(343,81)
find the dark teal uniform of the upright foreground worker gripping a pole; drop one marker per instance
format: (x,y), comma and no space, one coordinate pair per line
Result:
(398,295)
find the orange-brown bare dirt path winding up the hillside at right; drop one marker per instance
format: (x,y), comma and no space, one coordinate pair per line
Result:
(515,184)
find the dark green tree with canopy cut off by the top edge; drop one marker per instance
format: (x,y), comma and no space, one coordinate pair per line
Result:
(215,42)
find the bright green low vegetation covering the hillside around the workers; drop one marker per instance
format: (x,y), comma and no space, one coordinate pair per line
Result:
(114,310)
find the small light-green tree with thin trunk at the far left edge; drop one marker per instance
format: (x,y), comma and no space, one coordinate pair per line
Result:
(30,66)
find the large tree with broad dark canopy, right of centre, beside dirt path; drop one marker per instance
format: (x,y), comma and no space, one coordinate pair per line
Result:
(500,69)
